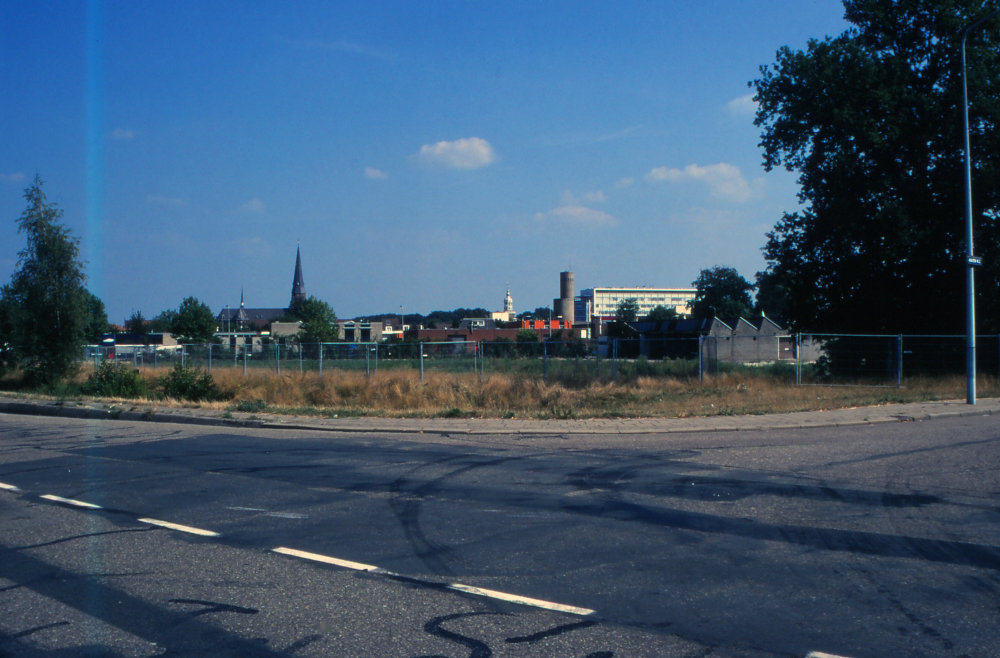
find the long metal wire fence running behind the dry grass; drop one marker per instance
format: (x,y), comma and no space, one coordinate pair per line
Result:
(802,359)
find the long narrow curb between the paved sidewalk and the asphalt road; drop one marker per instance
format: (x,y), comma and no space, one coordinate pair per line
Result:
(52,410)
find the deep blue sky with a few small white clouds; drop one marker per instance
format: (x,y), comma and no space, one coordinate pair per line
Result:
(424,153)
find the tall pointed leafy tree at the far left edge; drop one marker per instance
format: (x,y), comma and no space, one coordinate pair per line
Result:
(46,310)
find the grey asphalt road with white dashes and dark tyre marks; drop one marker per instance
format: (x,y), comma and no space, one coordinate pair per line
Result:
(858,542)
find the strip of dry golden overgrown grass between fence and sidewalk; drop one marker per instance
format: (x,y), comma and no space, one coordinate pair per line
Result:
(497,395)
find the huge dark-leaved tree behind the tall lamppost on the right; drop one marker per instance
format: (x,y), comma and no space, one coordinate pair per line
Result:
(871,121)
